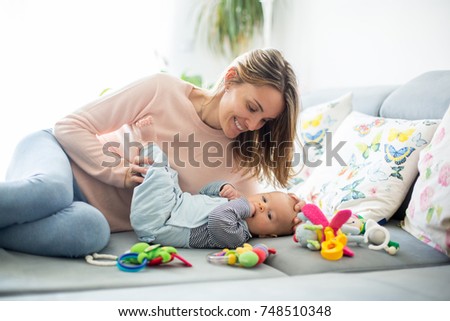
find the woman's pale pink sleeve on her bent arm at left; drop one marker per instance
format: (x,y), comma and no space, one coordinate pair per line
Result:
(78,132)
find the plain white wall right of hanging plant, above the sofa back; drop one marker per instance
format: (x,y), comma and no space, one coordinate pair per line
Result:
(362,42)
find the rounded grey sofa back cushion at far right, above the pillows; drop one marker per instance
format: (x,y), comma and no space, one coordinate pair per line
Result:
(426,96)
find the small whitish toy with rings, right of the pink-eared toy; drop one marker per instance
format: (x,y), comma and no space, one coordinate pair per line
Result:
(358,230)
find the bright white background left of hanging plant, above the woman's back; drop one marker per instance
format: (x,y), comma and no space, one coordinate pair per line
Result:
(58,55)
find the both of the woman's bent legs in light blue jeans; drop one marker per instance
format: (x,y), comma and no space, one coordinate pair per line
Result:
(37,212)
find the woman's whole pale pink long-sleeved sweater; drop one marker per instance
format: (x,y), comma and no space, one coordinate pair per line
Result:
(84,133)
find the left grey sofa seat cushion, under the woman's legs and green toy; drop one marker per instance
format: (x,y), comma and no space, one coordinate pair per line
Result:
(23,273)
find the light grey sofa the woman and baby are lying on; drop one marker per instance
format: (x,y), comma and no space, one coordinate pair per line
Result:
(416,272)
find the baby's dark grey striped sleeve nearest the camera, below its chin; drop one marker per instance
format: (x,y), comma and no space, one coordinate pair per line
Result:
(226,227)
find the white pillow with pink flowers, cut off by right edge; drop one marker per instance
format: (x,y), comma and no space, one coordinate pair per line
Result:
(428,213)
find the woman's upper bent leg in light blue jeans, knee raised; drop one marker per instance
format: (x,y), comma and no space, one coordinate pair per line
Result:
(39,181)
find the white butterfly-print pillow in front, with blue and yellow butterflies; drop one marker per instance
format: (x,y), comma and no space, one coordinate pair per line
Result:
(371,166)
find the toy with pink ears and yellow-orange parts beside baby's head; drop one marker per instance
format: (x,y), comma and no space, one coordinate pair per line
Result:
(321,230)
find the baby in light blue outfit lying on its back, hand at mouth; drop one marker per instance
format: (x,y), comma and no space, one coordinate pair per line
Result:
(217,217)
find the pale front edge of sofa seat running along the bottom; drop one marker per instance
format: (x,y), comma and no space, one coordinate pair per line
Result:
(395,285)
